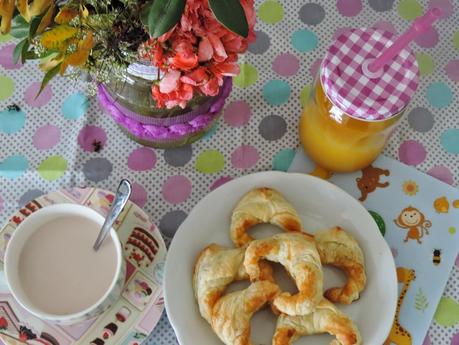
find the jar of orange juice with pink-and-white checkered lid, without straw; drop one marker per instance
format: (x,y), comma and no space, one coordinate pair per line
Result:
(351,111)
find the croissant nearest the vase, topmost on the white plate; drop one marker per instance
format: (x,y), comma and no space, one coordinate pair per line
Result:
(262,205)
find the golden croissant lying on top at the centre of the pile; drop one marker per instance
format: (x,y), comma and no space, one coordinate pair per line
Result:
(298,254)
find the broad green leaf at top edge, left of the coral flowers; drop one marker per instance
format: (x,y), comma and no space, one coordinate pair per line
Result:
(163,15)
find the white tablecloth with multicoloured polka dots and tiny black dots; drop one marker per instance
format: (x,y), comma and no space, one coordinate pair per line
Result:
(62,138)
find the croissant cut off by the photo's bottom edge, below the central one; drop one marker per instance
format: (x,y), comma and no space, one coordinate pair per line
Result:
(325,319)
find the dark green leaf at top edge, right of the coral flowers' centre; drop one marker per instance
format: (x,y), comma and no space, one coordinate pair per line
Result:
(231,15)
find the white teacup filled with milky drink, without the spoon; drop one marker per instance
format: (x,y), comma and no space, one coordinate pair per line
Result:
(53,271)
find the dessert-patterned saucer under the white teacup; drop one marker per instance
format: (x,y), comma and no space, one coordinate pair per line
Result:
(132,317)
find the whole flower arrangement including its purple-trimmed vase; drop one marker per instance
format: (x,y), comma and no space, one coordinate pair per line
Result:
(162,69)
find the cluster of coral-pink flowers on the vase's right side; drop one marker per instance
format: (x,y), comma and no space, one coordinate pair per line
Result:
(196,55)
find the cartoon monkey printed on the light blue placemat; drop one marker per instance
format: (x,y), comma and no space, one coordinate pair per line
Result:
(415,222)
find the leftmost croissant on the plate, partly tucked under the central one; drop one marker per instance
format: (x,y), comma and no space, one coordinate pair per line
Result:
(216,268)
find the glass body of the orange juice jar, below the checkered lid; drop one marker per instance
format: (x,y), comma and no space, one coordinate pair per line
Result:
(336,141)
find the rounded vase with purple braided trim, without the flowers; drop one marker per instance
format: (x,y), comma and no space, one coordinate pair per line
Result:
(129,102)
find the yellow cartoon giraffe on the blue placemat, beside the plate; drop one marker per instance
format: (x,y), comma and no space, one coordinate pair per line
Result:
(399,335)
